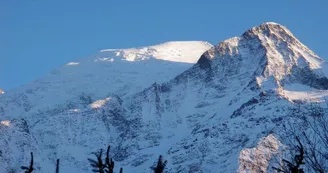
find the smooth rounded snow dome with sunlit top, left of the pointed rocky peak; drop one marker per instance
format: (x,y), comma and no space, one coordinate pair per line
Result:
(109,72)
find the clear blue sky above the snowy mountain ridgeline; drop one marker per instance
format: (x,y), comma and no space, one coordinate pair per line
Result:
(37,36)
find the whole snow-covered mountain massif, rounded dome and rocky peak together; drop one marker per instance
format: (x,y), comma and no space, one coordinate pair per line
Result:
(217,115)
